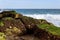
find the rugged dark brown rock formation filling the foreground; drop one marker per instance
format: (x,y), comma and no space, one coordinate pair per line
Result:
(14,26)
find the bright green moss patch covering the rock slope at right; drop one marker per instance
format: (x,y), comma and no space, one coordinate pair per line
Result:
(50,28)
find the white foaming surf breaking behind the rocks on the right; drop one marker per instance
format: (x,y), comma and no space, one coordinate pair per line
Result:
(52,18)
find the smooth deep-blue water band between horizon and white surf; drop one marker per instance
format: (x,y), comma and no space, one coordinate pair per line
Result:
(38,11)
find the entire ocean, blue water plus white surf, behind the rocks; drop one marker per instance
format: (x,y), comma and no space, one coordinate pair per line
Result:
(51,15)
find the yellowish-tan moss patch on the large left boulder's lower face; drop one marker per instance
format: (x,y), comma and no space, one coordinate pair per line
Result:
(11,31)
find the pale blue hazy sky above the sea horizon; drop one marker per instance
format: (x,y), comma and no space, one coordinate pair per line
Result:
(27,4)
